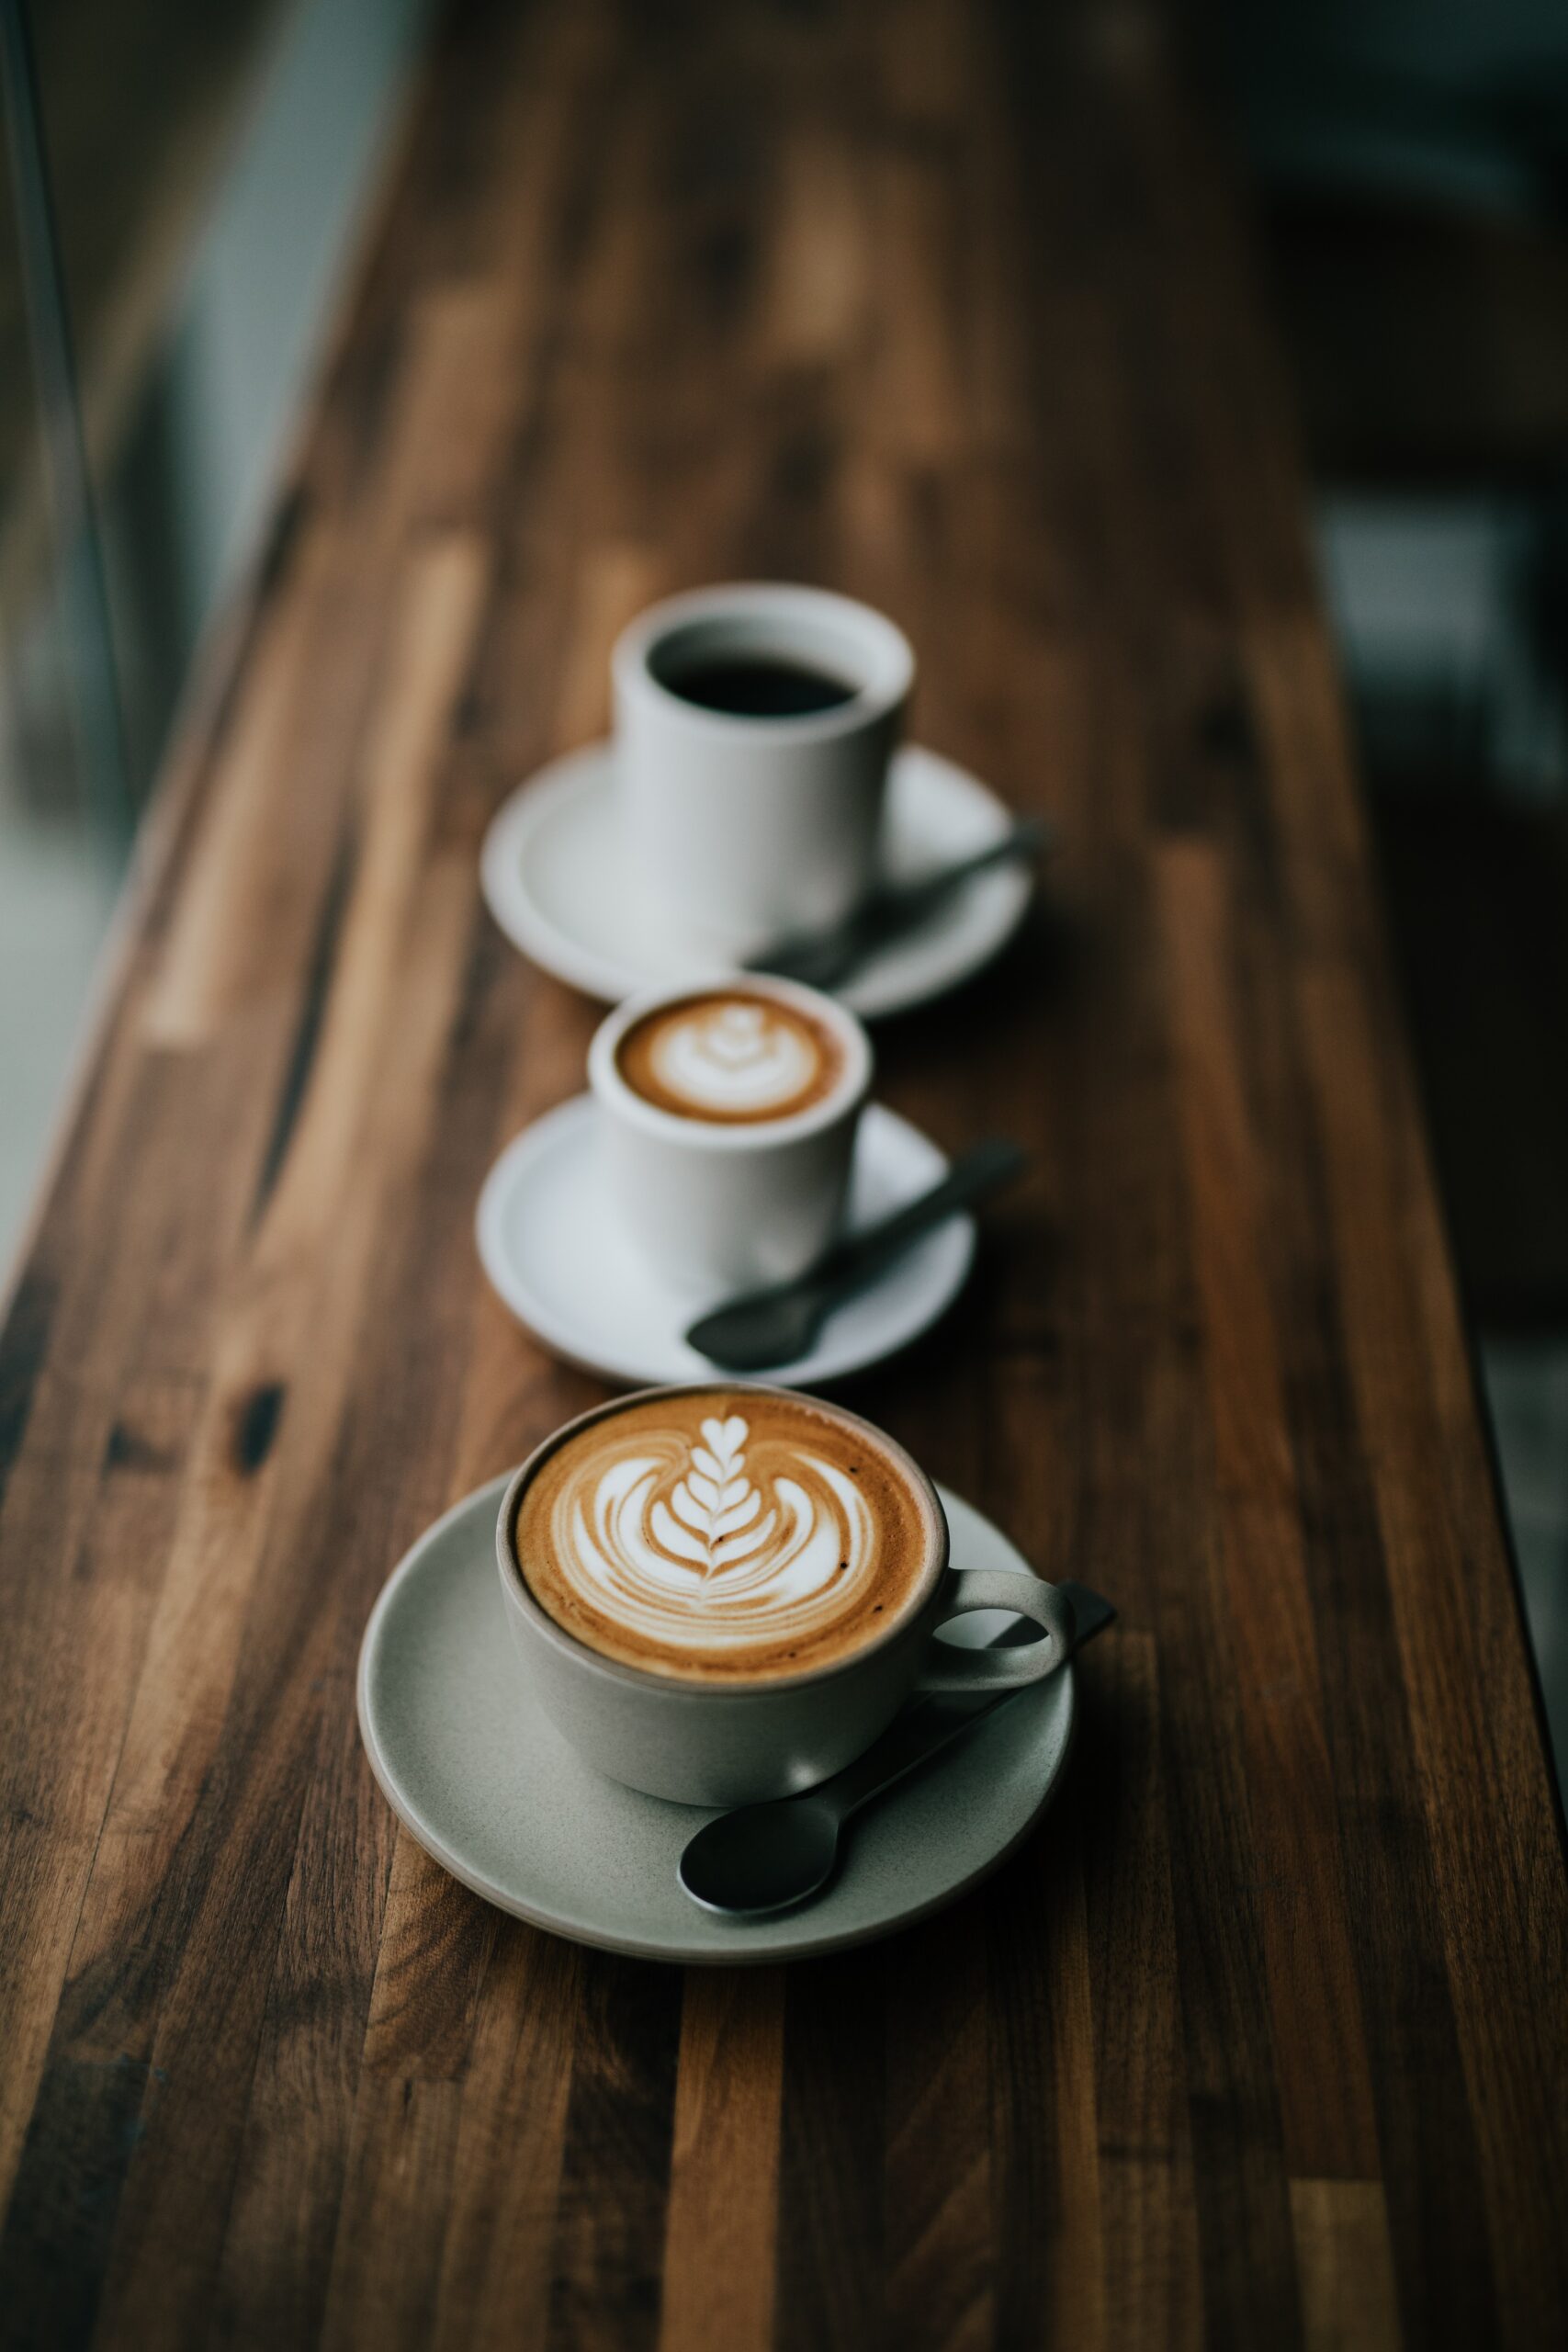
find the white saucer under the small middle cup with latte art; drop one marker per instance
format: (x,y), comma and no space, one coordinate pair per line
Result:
(561,1262)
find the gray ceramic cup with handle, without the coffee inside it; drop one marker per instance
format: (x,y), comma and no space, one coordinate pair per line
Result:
(723,1744)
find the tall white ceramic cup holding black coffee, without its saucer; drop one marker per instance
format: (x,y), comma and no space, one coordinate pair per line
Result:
(749,829)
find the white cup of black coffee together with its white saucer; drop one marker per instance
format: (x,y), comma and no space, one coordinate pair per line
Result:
(756,789)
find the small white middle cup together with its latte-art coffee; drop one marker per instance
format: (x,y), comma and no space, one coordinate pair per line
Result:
(730,1116)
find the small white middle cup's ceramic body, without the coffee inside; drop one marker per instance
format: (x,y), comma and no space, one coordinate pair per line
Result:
(730,1208)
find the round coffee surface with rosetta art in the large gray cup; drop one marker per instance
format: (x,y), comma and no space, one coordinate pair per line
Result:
(725,1537)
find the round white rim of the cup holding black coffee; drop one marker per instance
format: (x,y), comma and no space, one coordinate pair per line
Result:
(894,655)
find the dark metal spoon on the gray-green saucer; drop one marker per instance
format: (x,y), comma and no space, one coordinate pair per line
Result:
(770,1857)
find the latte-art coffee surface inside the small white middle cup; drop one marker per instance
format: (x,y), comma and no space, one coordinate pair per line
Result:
(730,1057)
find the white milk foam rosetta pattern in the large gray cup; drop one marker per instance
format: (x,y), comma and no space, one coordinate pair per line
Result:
(692,1544)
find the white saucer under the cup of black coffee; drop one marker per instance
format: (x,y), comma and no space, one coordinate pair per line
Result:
(556,881)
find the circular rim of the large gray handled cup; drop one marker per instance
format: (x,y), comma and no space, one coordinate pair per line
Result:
(695,1685)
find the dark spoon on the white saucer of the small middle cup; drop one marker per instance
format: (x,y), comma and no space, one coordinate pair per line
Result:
(777,1325)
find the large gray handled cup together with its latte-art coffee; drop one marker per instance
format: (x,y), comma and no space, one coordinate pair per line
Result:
(723,1591)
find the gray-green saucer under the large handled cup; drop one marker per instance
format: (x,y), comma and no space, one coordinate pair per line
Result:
(497,1796)
